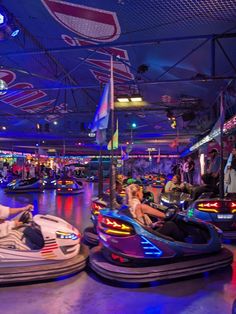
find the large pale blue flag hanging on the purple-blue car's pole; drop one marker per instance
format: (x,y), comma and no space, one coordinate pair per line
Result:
(101,119)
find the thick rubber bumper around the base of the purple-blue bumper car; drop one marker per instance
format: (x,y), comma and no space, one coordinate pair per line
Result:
(171,270)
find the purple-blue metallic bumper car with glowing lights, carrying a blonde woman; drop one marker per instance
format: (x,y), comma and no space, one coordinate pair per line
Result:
(131,252)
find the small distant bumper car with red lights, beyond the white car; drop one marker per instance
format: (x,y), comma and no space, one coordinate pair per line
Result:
(69,186)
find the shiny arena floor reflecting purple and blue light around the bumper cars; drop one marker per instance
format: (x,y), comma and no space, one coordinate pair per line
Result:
(85,293)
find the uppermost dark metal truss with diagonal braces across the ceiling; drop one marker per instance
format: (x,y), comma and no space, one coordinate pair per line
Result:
(200,77)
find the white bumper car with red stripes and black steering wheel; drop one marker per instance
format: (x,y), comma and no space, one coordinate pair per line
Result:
(45,247)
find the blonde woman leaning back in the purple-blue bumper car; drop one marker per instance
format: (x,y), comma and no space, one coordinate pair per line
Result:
(141,211)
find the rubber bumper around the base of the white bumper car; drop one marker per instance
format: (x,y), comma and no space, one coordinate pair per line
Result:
(48,271)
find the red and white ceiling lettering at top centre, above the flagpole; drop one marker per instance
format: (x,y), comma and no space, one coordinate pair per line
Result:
(93,25)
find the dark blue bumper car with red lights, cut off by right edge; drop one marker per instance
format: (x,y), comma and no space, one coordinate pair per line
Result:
(220,212)
